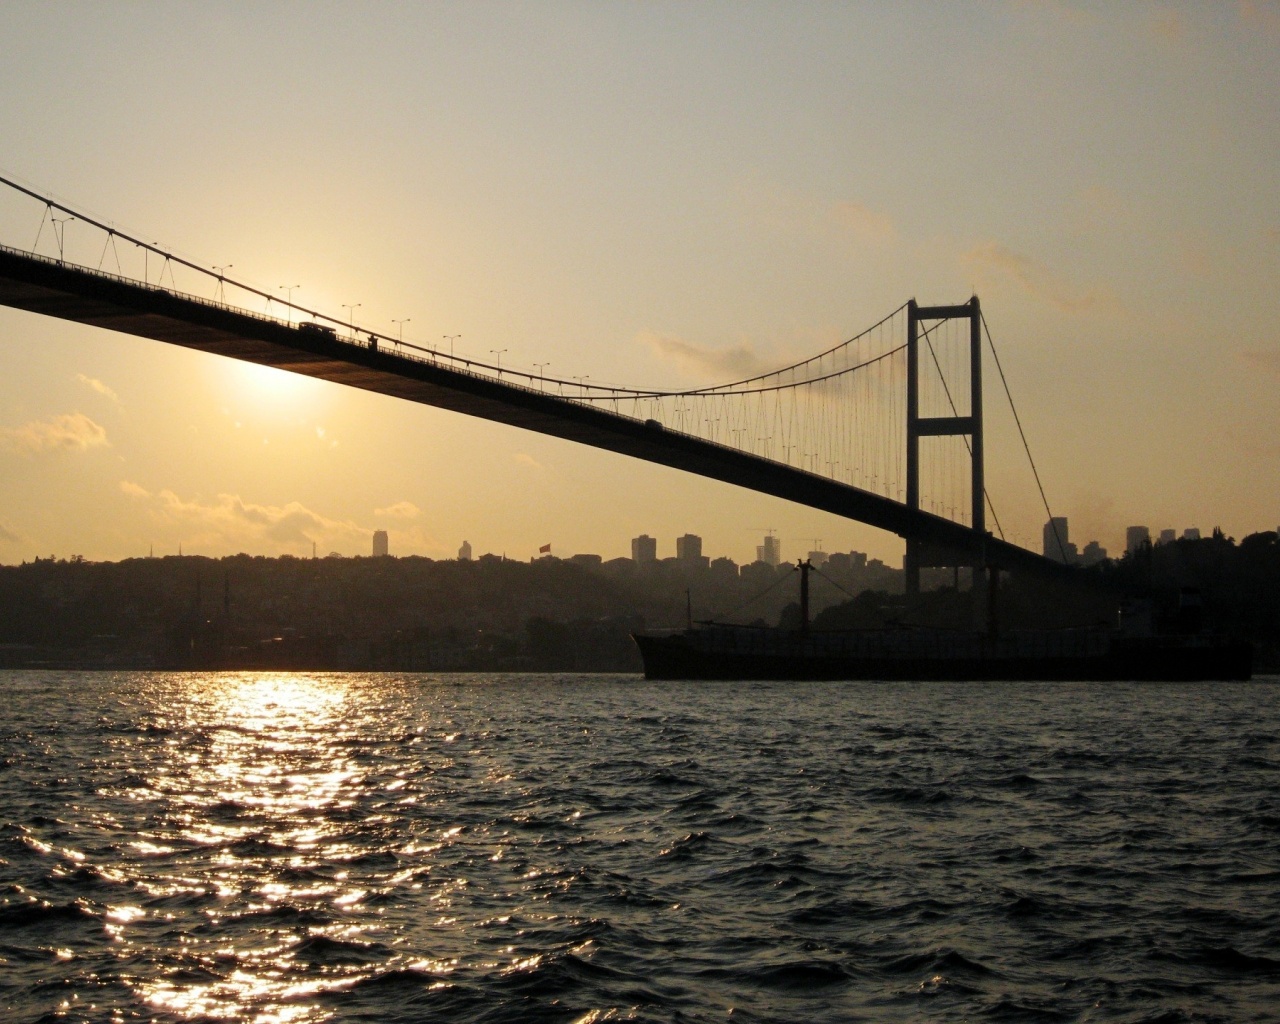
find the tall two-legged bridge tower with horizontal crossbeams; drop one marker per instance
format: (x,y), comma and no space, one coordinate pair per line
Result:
(920,555)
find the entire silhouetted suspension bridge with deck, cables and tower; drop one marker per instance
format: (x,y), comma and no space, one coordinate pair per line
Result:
(885,428)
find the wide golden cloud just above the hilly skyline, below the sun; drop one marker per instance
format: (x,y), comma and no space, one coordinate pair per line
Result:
(230,522)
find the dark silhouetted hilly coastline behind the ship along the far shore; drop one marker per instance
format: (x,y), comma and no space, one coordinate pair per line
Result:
(413,614)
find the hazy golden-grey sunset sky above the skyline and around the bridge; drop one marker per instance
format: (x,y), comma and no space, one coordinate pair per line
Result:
(642,194)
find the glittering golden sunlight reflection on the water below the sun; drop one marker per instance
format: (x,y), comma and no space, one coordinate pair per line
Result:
(273,751)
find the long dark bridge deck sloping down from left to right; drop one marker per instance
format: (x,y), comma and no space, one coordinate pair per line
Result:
(85,296)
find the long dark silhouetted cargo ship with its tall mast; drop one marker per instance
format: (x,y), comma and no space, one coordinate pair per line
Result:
(712,651)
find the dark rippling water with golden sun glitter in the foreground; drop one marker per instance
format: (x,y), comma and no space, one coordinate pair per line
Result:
(383,848)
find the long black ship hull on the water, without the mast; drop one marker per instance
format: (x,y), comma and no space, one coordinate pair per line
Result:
(1165,660)
